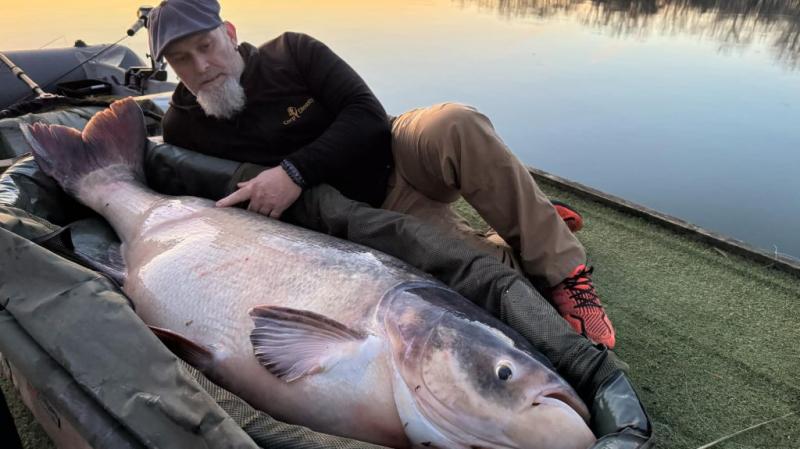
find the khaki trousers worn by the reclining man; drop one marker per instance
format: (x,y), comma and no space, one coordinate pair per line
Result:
(450,150)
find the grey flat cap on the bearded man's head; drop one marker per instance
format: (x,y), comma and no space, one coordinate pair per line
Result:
(174,19)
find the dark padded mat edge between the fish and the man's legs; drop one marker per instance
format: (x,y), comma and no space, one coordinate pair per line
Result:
(476,275)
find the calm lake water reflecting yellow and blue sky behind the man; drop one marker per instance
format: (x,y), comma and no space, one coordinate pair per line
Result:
(690,107)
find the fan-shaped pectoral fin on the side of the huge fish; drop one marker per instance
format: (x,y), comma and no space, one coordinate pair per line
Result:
(293,343)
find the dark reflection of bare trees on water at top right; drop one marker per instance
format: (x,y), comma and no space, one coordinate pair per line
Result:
(734,23)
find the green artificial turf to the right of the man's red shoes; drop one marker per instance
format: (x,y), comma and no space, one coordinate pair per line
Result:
(712,339)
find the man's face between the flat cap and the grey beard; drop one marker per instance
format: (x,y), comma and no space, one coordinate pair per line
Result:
(204,60)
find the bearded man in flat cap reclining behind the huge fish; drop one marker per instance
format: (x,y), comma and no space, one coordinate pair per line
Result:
(295,106)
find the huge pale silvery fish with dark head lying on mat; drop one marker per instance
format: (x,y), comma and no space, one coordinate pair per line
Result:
(308,328)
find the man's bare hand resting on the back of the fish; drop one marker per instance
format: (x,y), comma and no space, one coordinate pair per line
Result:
(270,193)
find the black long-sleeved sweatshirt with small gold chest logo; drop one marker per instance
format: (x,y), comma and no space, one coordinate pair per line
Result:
(304,104)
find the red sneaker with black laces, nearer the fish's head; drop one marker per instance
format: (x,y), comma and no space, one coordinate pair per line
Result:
(576,300)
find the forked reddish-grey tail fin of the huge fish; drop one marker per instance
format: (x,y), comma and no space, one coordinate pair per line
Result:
(113,137)
